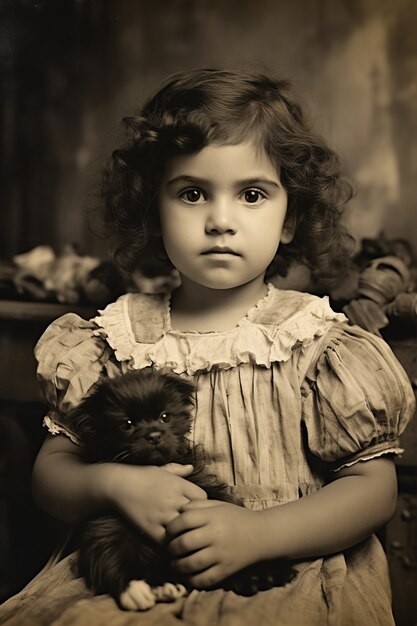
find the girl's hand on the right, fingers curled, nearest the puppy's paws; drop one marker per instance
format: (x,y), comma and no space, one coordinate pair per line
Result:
(211,540)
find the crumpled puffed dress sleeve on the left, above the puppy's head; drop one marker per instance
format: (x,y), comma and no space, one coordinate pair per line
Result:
(71,358)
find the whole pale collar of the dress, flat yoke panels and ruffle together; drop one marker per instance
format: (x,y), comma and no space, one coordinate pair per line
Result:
(138,328)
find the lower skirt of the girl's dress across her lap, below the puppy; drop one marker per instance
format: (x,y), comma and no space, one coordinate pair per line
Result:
(330,592)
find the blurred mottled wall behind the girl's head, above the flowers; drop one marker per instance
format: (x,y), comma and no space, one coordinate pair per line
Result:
(72,68)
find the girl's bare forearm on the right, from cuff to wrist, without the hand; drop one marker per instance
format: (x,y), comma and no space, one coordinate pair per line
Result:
(359,501)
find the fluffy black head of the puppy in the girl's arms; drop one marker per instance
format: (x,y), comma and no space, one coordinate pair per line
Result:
(142,417)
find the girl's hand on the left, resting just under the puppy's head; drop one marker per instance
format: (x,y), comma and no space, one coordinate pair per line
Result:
(151,496)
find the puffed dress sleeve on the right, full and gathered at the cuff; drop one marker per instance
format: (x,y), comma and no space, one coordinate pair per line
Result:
(357,398)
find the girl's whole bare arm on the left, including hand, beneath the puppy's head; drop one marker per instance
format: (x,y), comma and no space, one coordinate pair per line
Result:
(70,489)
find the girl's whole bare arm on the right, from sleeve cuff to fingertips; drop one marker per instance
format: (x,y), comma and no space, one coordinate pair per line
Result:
(224,538)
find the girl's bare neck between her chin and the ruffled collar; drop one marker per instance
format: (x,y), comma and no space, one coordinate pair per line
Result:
(201,309)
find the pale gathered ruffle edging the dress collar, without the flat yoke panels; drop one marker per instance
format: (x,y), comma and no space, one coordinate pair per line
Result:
(190,352)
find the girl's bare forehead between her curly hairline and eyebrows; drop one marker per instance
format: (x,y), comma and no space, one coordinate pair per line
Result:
(241,161)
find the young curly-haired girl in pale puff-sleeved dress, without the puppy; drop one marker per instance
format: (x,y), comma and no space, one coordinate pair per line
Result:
(299,412)
